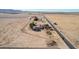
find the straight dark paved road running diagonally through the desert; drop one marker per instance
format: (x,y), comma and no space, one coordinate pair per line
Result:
(61,34)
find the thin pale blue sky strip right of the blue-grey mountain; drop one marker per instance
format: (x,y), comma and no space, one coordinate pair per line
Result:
(53,10)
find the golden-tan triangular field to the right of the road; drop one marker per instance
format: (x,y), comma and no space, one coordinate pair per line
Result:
(69,24)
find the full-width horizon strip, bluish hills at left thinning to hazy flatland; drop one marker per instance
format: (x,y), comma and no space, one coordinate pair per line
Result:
(12,11)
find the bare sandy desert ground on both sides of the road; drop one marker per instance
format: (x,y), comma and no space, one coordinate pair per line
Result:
(15,31)
